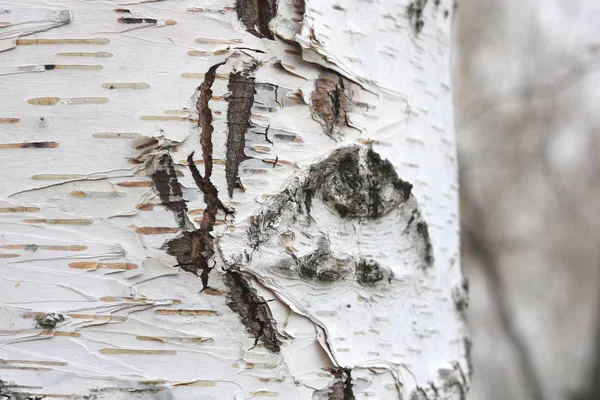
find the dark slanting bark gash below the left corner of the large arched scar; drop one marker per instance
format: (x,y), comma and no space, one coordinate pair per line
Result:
(252,309)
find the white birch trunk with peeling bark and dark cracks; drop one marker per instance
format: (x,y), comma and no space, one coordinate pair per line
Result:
(217,200)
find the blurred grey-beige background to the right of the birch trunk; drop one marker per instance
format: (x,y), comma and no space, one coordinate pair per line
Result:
(526,87)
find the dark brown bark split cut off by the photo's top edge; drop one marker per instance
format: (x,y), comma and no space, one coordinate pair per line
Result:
(256,15)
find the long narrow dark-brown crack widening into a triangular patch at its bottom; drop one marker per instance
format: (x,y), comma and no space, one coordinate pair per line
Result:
(195,249)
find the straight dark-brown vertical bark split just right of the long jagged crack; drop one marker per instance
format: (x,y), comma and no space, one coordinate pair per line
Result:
(241,98)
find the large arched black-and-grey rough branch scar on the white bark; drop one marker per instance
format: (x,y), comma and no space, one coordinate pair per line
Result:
(354,183)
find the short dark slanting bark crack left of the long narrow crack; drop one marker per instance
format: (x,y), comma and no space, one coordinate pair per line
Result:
(169,190)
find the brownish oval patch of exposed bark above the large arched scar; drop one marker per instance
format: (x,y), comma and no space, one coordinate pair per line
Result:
(331,101)
